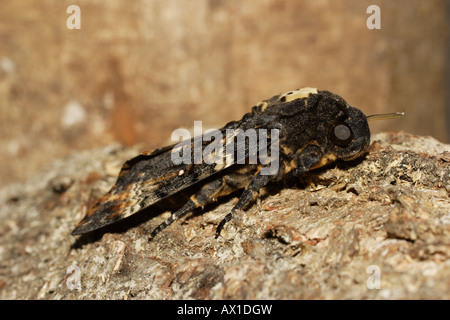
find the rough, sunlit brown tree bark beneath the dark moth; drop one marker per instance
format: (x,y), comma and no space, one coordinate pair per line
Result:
(377,228)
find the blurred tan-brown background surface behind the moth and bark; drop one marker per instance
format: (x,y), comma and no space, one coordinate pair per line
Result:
(137,70)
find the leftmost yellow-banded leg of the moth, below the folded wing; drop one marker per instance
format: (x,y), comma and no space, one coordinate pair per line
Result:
(207,194)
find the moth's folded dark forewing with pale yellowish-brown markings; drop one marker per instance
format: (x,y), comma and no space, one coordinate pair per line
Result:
(153,176)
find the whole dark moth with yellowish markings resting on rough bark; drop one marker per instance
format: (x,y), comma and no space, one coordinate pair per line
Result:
(310,129)
